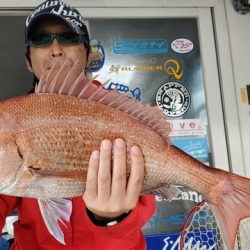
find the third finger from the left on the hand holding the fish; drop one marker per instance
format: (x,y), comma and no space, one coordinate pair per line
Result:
(119,179)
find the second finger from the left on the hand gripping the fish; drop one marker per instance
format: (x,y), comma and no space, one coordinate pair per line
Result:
(104,173)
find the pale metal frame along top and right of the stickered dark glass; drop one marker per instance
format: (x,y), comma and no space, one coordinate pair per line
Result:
(227,147)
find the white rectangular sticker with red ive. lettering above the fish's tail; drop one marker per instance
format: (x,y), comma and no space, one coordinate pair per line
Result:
(187,127)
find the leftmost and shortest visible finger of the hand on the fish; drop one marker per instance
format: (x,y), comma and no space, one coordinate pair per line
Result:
(92,175)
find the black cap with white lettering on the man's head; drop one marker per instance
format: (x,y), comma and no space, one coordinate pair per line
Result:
(57,9)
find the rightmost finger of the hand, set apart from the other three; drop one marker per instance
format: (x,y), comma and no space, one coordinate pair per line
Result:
(136,178)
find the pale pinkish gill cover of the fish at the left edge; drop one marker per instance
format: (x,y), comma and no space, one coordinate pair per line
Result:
(11,160)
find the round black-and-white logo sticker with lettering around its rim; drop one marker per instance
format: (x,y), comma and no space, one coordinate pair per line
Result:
(173,99)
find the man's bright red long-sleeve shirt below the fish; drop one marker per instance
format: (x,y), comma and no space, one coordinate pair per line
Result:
(31,233)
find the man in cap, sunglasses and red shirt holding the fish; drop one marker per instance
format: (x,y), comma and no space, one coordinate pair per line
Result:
(111,212)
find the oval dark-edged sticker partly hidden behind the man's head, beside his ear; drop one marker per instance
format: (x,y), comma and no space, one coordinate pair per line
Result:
(97,56)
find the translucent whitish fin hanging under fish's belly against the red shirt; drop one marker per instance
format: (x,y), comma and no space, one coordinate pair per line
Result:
(54,210)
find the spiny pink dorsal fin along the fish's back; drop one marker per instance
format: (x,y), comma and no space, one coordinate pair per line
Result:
(67,80)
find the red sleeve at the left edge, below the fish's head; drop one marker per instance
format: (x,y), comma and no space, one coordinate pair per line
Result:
(7,206)
